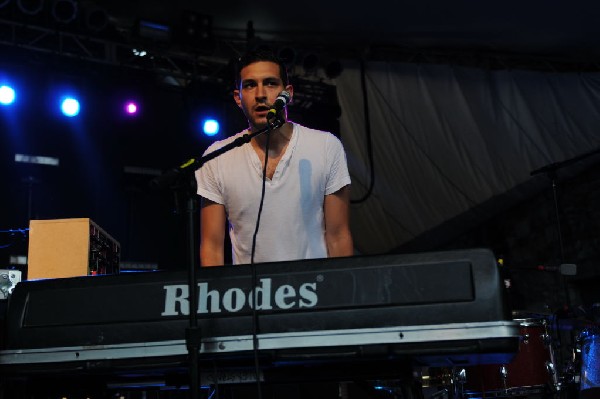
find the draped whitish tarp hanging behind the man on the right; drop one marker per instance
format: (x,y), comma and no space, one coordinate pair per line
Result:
(448,138)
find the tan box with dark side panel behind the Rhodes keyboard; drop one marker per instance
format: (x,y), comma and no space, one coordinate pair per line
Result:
(70,248)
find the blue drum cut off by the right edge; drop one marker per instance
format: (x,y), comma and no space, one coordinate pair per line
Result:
(590,364)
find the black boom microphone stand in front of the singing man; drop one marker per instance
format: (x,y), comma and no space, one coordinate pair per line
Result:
(193,336)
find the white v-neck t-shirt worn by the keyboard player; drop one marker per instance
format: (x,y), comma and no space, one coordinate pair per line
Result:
(292,224)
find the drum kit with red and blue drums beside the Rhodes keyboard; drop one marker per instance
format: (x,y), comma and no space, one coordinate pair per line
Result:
(557,359)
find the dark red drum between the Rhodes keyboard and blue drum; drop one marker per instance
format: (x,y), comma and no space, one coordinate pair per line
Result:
(531,371)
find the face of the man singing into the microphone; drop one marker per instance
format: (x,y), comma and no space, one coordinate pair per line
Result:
(260,85)
